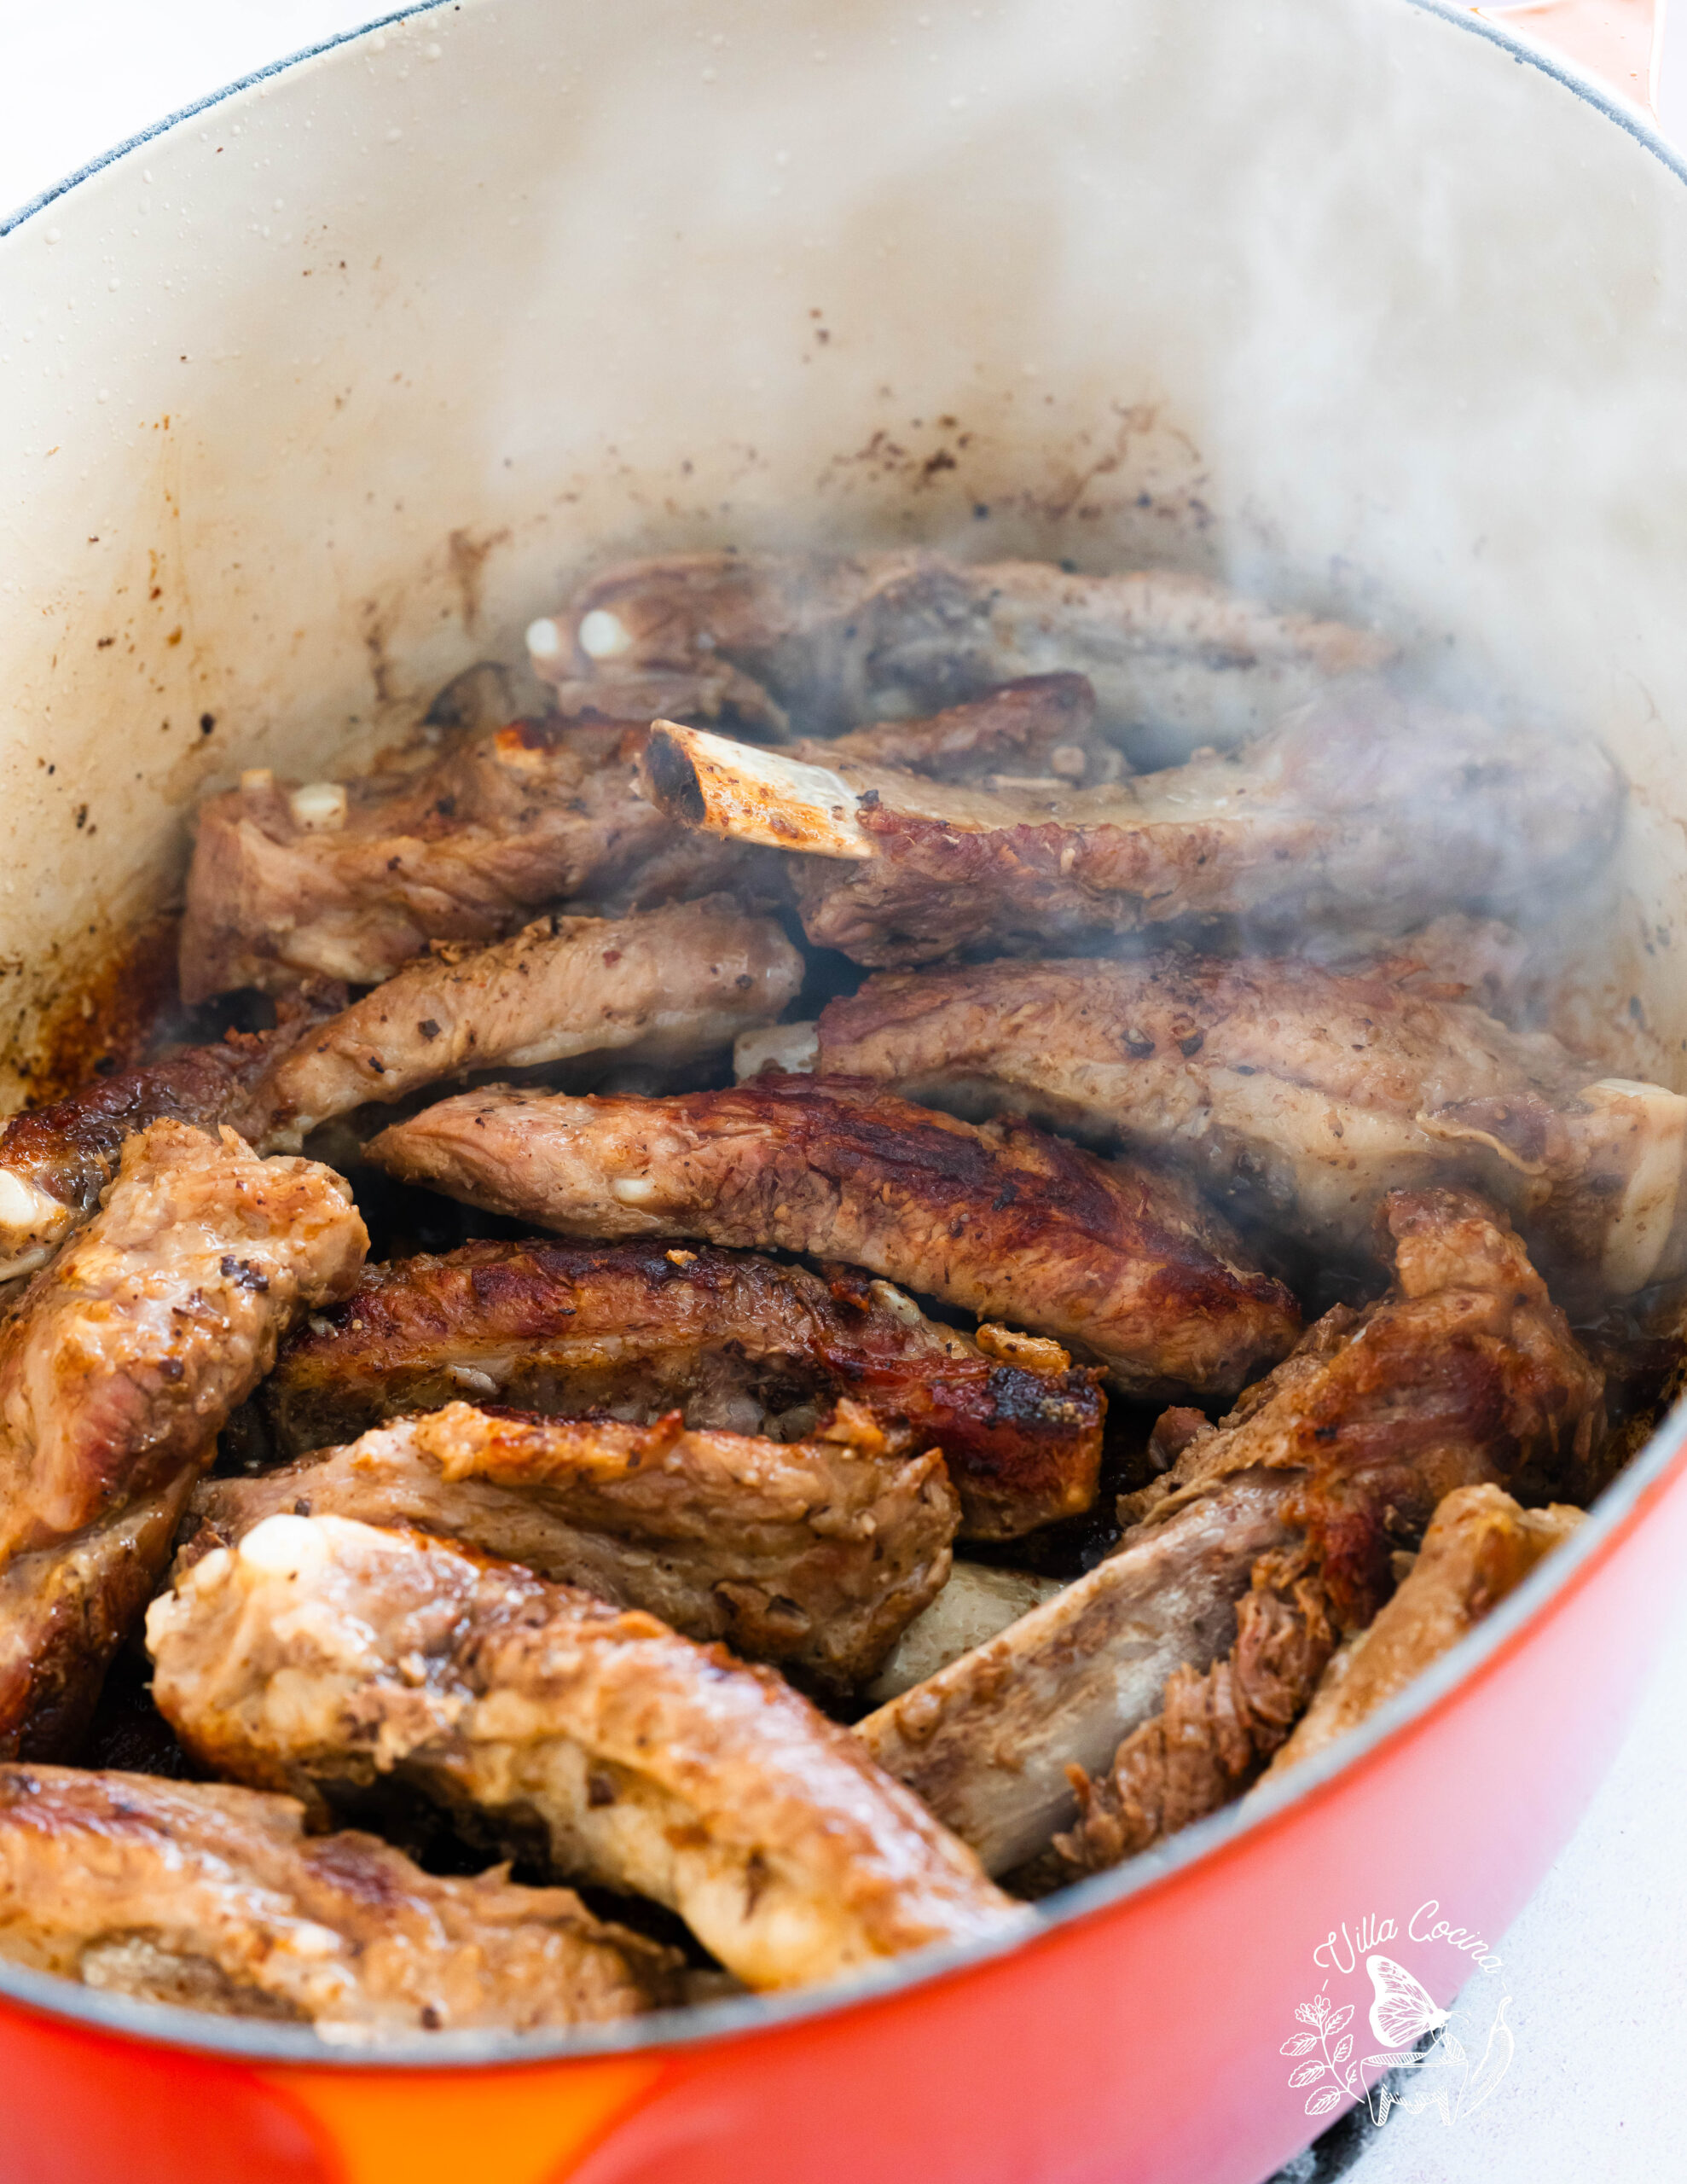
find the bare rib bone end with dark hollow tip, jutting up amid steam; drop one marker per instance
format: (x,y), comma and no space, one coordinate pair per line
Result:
(747,794)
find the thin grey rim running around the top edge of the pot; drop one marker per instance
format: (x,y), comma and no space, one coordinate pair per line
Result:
(1223,1833)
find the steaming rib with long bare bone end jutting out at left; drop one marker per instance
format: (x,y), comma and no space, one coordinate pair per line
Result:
(1361,809)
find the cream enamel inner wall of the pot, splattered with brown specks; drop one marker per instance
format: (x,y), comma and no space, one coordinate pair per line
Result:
(333,385)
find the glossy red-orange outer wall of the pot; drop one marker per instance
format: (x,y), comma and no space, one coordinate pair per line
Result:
(1145,2032)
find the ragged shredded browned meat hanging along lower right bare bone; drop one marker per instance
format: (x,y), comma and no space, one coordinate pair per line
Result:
(1215,1731)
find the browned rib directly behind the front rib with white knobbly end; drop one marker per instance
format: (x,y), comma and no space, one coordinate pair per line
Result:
(815,1554)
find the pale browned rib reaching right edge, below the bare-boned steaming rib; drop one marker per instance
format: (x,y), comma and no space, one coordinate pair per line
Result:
(1297,1093)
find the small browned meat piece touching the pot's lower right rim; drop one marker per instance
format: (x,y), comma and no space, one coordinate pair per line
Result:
(1481,1545)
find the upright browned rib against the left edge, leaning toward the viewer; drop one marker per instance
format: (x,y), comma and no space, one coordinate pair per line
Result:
(117,1373)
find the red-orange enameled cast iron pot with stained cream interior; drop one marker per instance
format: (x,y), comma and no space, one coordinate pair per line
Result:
(333,383)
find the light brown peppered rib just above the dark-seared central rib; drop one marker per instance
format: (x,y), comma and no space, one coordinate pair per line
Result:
(660,986)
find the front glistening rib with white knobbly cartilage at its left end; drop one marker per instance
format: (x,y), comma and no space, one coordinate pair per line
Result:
(328,1652)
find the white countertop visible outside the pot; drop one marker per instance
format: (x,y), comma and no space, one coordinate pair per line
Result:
(1596,1965)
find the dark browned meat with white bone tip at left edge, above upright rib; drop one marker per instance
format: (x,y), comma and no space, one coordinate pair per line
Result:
(58,1161)
